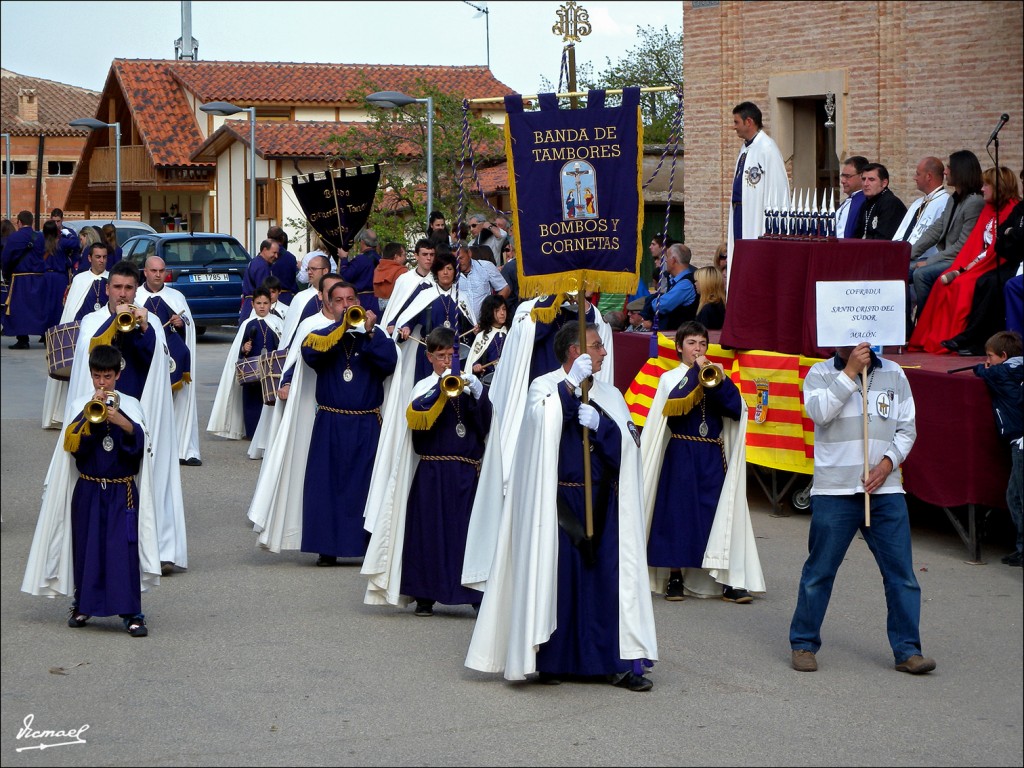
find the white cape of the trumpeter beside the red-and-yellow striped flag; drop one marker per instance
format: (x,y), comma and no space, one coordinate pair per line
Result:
(732,556)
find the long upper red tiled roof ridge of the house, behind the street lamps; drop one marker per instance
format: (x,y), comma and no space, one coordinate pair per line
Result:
(270,82)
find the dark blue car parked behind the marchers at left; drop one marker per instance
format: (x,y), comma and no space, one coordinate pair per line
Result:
(207,269)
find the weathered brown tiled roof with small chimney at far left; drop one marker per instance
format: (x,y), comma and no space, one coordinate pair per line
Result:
(59,105)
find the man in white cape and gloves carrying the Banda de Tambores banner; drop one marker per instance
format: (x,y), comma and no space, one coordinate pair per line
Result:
(537,615)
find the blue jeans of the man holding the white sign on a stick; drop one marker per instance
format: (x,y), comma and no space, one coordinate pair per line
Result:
(835,521)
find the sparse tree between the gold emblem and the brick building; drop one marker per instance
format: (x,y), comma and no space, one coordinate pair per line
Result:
(658,60)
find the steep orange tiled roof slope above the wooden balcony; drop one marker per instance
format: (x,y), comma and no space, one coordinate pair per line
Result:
(163,117)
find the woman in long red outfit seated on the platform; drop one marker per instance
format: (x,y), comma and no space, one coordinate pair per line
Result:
(950,304)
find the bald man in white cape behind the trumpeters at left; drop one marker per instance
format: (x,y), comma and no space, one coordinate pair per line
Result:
(154,292)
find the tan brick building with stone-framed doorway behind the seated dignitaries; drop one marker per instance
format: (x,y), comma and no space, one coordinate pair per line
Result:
(911,79)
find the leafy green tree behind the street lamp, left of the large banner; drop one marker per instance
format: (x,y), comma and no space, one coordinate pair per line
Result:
(398,140)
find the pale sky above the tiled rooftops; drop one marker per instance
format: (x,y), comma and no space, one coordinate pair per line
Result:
(442,32)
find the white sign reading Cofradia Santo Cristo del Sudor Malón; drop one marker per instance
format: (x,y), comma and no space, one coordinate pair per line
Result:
(851,313)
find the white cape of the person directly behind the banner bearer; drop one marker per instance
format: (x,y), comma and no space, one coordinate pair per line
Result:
(508,398)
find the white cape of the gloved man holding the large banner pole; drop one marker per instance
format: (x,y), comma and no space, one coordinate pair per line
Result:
(520,608)
